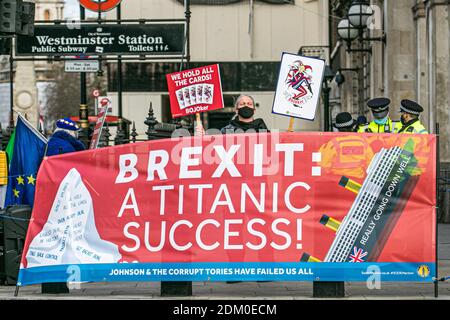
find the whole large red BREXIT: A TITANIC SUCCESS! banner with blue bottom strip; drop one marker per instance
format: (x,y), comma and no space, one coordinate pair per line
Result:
(279,207)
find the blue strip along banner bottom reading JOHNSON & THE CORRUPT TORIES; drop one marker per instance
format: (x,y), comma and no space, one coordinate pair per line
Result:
(230,271)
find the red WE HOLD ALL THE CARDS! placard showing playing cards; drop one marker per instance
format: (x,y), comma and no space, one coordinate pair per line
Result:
(195,90)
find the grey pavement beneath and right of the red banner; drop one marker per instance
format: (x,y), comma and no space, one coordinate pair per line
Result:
(251,290)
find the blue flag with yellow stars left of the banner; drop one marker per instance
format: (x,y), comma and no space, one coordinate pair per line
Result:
(29,150)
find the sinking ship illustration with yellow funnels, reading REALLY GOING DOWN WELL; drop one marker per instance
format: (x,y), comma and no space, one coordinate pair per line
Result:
(379,203)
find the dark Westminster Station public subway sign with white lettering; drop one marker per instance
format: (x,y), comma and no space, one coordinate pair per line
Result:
(158,39)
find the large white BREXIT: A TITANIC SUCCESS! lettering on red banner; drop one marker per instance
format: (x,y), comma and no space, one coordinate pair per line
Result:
(194,207)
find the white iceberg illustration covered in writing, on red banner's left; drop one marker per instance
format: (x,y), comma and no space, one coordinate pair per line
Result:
(70,236)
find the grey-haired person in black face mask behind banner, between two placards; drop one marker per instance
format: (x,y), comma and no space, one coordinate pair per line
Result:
(244,120)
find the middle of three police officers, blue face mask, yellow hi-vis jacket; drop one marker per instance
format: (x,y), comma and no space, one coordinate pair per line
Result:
(382,123)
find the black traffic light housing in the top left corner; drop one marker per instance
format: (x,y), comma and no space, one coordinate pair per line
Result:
(17,17)
